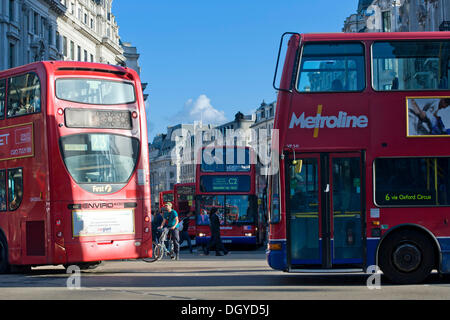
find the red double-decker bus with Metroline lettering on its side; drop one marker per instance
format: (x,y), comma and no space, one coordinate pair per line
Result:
(364,155)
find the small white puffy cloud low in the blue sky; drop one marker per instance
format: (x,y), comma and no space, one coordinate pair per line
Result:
(200,109)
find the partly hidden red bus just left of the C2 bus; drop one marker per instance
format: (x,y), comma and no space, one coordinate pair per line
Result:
(184,203)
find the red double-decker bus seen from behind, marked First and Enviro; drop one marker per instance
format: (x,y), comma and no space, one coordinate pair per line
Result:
(74,177)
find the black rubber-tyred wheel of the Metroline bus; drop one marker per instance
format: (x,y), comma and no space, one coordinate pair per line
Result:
(407,257)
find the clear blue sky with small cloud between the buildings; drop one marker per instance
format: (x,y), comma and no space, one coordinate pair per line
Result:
(210,59)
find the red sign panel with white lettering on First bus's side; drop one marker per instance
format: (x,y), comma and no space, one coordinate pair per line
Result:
(16,142)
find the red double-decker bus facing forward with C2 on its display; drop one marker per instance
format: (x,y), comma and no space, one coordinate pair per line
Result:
(230,187)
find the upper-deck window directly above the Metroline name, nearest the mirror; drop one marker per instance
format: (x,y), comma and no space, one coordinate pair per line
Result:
(335,67)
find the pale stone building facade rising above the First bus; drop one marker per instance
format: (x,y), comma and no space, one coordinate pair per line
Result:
(78,30)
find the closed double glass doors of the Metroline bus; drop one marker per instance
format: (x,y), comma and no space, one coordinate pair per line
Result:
(324,211)
